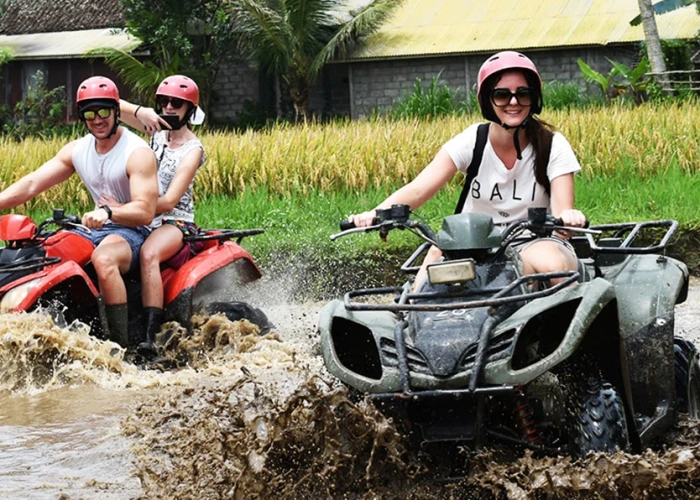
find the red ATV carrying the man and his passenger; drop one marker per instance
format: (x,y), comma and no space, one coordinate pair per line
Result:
(48,266)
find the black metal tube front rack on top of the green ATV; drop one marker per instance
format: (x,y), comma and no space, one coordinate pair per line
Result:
(499,297)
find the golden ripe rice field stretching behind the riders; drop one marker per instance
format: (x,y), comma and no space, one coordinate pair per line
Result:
(621,149)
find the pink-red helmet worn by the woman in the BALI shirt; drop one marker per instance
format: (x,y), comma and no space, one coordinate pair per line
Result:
(498,63)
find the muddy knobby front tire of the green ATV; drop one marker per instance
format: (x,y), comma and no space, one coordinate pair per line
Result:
(598,420)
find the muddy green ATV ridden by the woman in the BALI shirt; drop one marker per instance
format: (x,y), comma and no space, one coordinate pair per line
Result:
(481,353)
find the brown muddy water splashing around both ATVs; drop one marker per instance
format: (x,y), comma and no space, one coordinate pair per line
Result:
(250,416)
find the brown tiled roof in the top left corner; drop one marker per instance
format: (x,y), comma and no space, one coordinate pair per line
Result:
(43,16)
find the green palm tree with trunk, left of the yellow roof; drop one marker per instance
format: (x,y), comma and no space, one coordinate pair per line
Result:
(293,39)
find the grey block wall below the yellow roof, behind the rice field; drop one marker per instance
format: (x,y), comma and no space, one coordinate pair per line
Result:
(360,88)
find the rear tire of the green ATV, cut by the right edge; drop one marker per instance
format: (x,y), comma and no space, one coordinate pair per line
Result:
(687,370)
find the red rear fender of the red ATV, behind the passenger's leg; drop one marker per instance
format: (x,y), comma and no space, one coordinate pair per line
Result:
(209,276)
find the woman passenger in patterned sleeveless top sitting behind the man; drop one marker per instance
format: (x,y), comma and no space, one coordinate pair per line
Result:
(180,154)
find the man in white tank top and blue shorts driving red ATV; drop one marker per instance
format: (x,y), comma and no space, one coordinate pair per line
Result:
(110,160)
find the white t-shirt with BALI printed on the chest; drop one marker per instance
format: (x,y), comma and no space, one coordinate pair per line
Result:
(506,194)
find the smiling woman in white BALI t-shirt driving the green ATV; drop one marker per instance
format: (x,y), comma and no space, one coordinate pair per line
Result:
(525,164)
